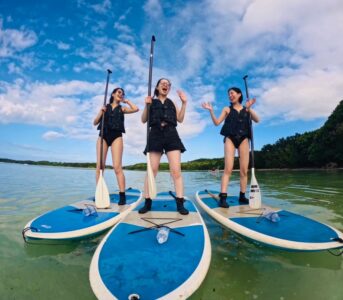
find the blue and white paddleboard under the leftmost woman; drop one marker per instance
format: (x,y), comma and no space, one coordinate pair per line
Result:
(80,219)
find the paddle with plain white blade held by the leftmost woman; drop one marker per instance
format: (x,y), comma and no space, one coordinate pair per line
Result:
(102,197)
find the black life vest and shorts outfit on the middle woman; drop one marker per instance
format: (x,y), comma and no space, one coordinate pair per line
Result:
(163,136)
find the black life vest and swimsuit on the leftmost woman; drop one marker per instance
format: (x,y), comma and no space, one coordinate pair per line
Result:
(113,124)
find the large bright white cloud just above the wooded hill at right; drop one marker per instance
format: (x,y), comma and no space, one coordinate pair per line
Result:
(301,96)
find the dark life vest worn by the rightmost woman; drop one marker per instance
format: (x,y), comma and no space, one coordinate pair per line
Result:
(236,123)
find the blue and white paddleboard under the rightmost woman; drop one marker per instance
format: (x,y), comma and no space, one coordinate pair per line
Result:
(288,231)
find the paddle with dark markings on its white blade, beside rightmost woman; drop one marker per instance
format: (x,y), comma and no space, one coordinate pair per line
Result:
(255,193)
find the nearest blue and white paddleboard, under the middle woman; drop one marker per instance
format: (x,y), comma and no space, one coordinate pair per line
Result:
(131,264)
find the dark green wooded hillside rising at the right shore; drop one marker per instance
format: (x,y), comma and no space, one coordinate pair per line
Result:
(319,148)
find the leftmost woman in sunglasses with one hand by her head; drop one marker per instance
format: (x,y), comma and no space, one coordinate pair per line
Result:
(113,130)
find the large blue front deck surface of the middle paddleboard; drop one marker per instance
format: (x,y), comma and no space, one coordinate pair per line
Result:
(136,263)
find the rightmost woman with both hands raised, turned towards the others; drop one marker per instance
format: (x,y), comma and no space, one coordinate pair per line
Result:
(236,132)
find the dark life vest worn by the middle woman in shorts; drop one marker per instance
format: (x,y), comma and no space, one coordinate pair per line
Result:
(162,112)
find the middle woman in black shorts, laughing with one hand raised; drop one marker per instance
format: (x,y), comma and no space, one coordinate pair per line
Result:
(163,138)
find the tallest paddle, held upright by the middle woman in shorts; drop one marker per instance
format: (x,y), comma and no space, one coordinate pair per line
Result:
(150,174)
